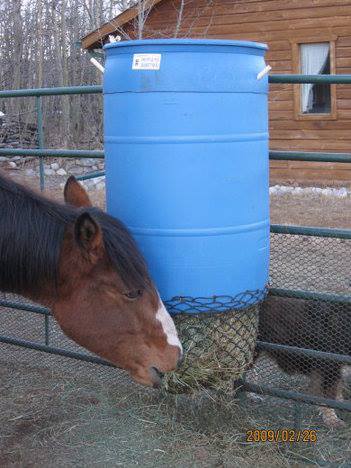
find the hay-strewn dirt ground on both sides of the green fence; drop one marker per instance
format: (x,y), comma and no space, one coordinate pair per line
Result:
(58,412)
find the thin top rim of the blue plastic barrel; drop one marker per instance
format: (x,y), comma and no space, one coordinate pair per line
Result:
(203,42)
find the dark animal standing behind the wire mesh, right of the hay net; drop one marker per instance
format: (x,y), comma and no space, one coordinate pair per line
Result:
(317,325)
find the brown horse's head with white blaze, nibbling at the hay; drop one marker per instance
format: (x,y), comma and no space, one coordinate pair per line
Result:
(106,300)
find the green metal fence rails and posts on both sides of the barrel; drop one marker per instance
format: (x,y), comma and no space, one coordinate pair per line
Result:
(41,152)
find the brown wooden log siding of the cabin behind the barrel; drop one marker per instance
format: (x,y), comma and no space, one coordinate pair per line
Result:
(279,23)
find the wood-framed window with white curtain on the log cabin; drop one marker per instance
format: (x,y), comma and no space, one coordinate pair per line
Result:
(314,56)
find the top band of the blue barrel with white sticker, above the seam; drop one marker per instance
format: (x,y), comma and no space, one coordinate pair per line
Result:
(188,65)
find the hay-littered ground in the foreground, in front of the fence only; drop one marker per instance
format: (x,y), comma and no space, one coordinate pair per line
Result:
(52,418)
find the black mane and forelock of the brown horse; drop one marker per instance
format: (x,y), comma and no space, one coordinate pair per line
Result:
(32,230)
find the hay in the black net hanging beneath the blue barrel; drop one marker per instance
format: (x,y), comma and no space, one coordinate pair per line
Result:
(218,349)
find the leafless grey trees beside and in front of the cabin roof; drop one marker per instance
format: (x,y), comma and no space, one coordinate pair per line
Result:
(38,48)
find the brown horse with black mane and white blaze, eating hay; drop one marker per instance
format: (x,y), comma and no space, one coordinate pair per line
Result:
(85,266)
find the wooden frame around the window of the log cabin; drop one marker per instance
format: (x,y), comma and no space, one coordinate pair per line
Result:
(296,65)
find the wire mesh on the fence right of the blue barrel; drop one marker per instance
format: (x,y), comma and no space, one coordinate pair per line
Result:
(308,322)
